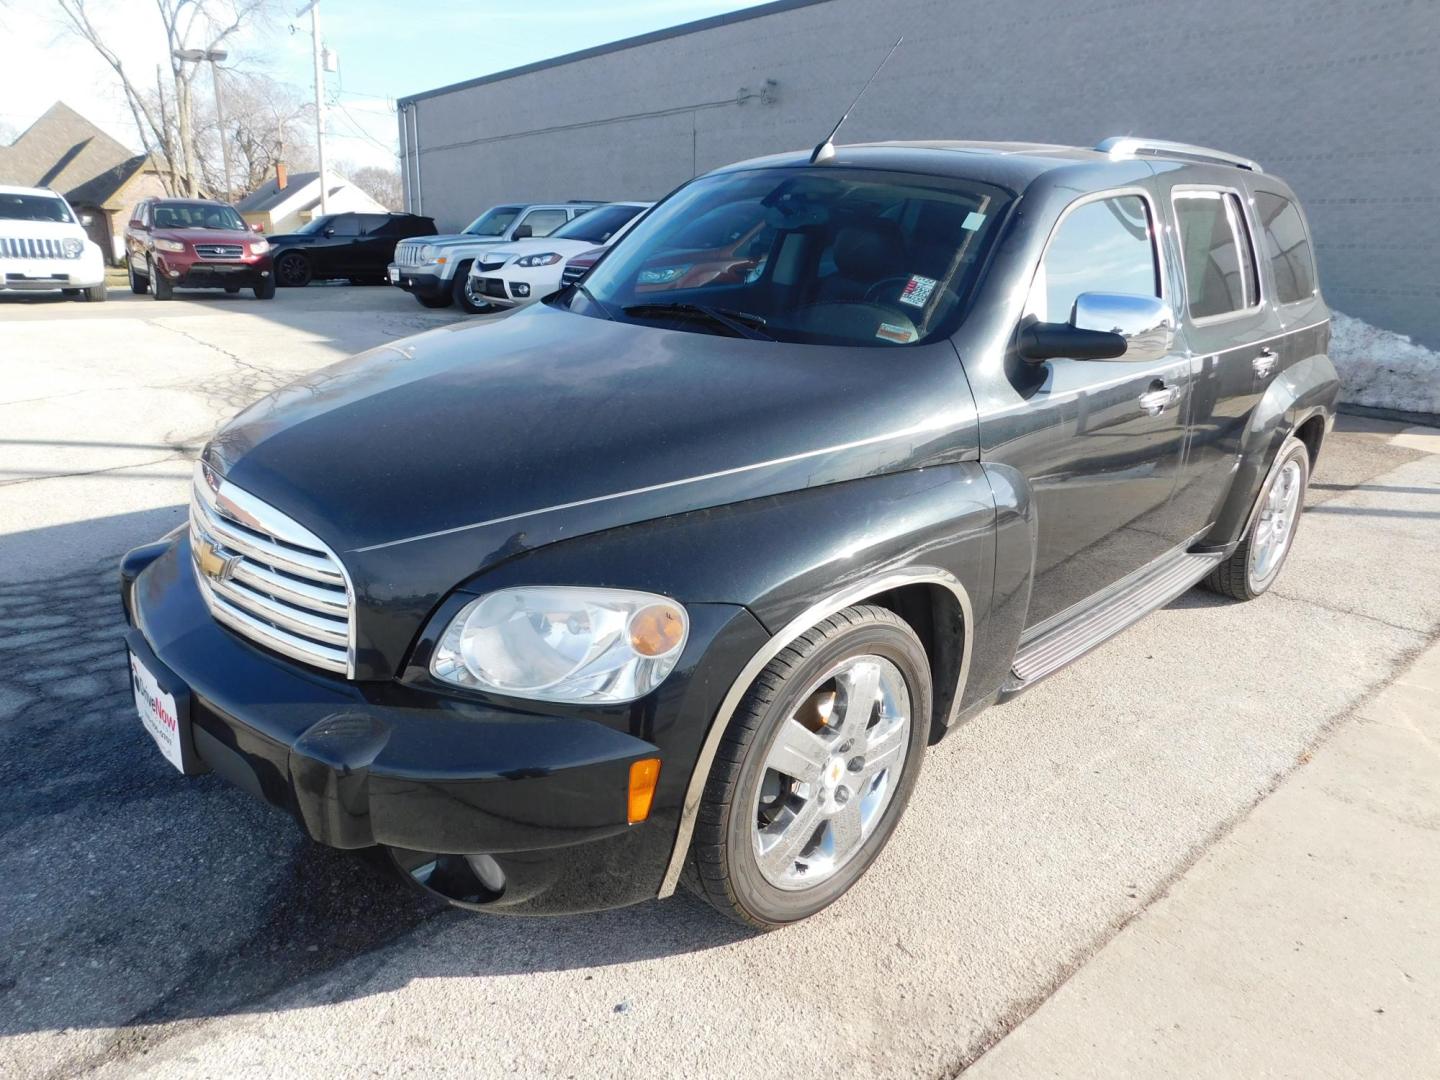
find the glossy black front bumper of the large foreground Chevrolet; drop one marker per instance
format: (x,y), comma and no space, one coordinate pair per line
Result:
(364,764)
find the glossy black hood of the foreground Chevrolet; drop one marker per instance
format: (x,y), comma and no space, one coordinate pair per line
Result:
(428,460)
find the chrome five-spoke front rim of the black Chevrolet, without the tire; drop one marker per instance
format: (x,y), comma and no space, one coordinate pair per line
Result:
(832,773)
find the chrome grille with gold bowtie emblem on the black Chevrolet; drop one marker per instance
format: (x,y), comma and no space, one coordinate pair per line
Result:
(269,578)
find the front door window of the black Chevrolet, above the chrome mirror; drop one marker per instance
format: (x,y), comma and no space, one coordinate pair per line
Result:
(1102,247)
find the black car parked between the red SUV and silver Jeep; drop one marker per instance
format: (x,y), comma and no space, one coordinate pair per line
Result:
(345,246)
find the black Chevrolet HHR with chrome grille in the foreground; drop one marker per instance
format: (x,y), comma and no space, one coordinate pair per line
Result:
(675,577)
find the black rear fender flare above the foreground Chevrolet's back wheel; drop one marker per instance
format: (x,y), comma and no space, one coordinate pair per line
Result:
(1301,392)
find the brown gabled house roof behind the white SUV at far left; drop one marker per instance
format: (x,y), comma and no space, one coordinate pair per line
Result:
(67,153)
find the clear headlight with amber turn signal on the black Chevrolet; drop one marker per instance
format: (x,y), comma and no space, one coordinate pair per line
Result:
(564,644)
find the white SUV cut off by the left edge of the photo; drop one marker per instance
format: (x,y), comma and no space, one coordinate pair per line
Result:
(44,246)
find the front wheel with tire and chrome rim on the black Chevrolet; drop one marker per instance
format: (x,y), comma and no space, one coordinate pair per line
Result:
(814,771)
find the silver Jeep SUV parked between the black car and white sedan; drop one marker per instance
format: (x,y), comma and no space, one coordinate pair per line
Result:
(434,269)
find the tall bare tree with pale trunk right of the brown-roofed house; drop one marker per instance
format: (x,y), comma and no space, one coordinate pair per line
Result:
(168,135)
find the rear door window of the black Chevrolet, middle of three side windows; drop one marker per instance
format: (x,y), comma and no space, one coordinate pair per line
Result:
(1220,264)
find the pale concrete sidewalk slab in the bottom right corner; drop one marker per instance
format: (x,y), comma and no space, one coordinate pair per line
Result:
(1307,944)
